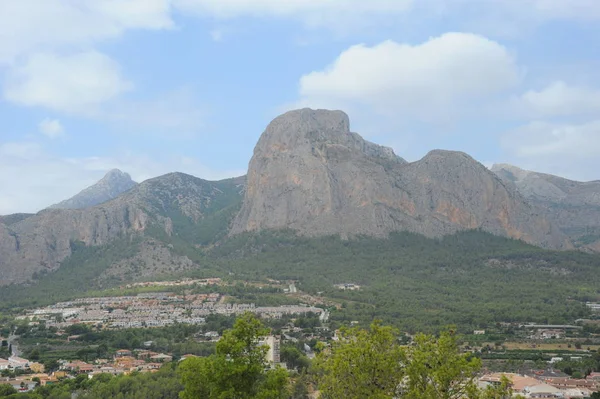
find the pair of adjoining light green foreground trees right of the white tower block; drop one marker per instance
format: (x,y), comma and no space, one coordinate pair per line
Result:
(372,364)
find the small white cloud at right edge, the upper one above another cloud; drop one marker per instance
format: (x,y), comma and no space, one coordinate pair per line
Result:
(560,99)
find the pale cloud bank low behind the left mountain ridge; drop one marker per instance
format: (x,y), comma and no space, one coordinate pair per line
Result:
(32,179)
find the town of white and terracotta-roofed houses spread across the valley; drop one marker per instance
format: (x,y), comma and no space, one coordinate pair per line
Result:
(84,337)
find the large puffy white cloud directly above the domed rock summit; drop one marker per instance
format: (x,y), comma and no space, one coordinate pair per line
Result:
(427,79)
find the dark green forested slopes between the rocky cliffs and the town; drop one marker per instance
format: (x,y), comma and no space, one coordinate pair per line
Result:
(471,279)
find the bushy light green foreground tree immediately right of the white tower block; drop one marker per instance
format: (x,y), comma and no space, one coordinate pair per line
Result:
(362,364)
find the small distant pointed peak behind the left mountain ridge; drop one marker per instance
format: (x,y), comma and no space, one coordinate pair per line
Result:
(110,186)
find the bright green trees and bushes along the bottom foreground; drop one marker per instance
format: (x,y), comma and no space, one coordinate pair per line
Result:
(370,363)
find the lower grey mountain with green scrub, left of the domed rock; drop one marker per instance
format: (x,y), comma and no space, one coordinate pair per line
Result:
(152,216)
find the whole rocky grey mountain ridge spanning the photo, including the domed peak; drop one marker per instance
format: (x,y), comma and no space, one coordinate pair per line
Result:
(309,174)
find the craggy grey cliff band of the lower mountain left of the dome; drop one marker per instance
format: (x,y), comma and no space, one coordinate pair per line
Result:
(42,241)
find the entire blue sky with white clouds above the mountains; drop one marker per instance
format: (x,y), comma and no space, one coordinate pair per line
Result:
(157,86)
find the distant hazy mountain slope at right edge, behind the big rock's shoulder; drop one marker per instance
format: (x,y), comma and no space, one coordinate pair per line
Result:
(571,205)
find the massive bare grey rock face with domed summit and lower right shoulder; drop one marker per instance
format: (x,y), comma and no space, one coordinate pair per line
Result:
(311,174)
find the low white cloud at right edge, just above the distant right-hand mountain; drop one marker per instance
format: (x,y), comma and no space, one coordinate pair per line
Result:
(570,150)
